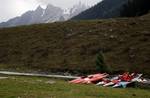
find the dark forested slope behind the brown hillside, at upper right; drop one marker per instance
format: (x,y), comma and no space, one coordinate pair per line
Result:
(115,8)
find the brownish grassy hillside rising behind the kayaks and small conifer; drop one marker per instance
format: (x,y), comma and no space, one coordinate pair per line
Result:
(72,46)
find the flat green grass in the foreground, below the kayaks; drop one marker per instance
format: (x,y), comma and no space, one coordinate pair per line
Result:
(25,87)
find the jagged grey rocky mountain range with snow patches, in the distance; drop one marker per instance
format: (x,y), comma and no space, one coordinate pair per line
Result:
(40,15)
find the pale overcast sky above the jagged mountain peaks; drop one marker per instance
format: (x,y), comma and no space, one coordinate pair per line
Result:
(13,8)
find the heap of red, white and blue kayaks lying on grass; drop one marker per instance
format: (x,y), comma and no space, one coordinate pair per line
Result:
(103,79)
